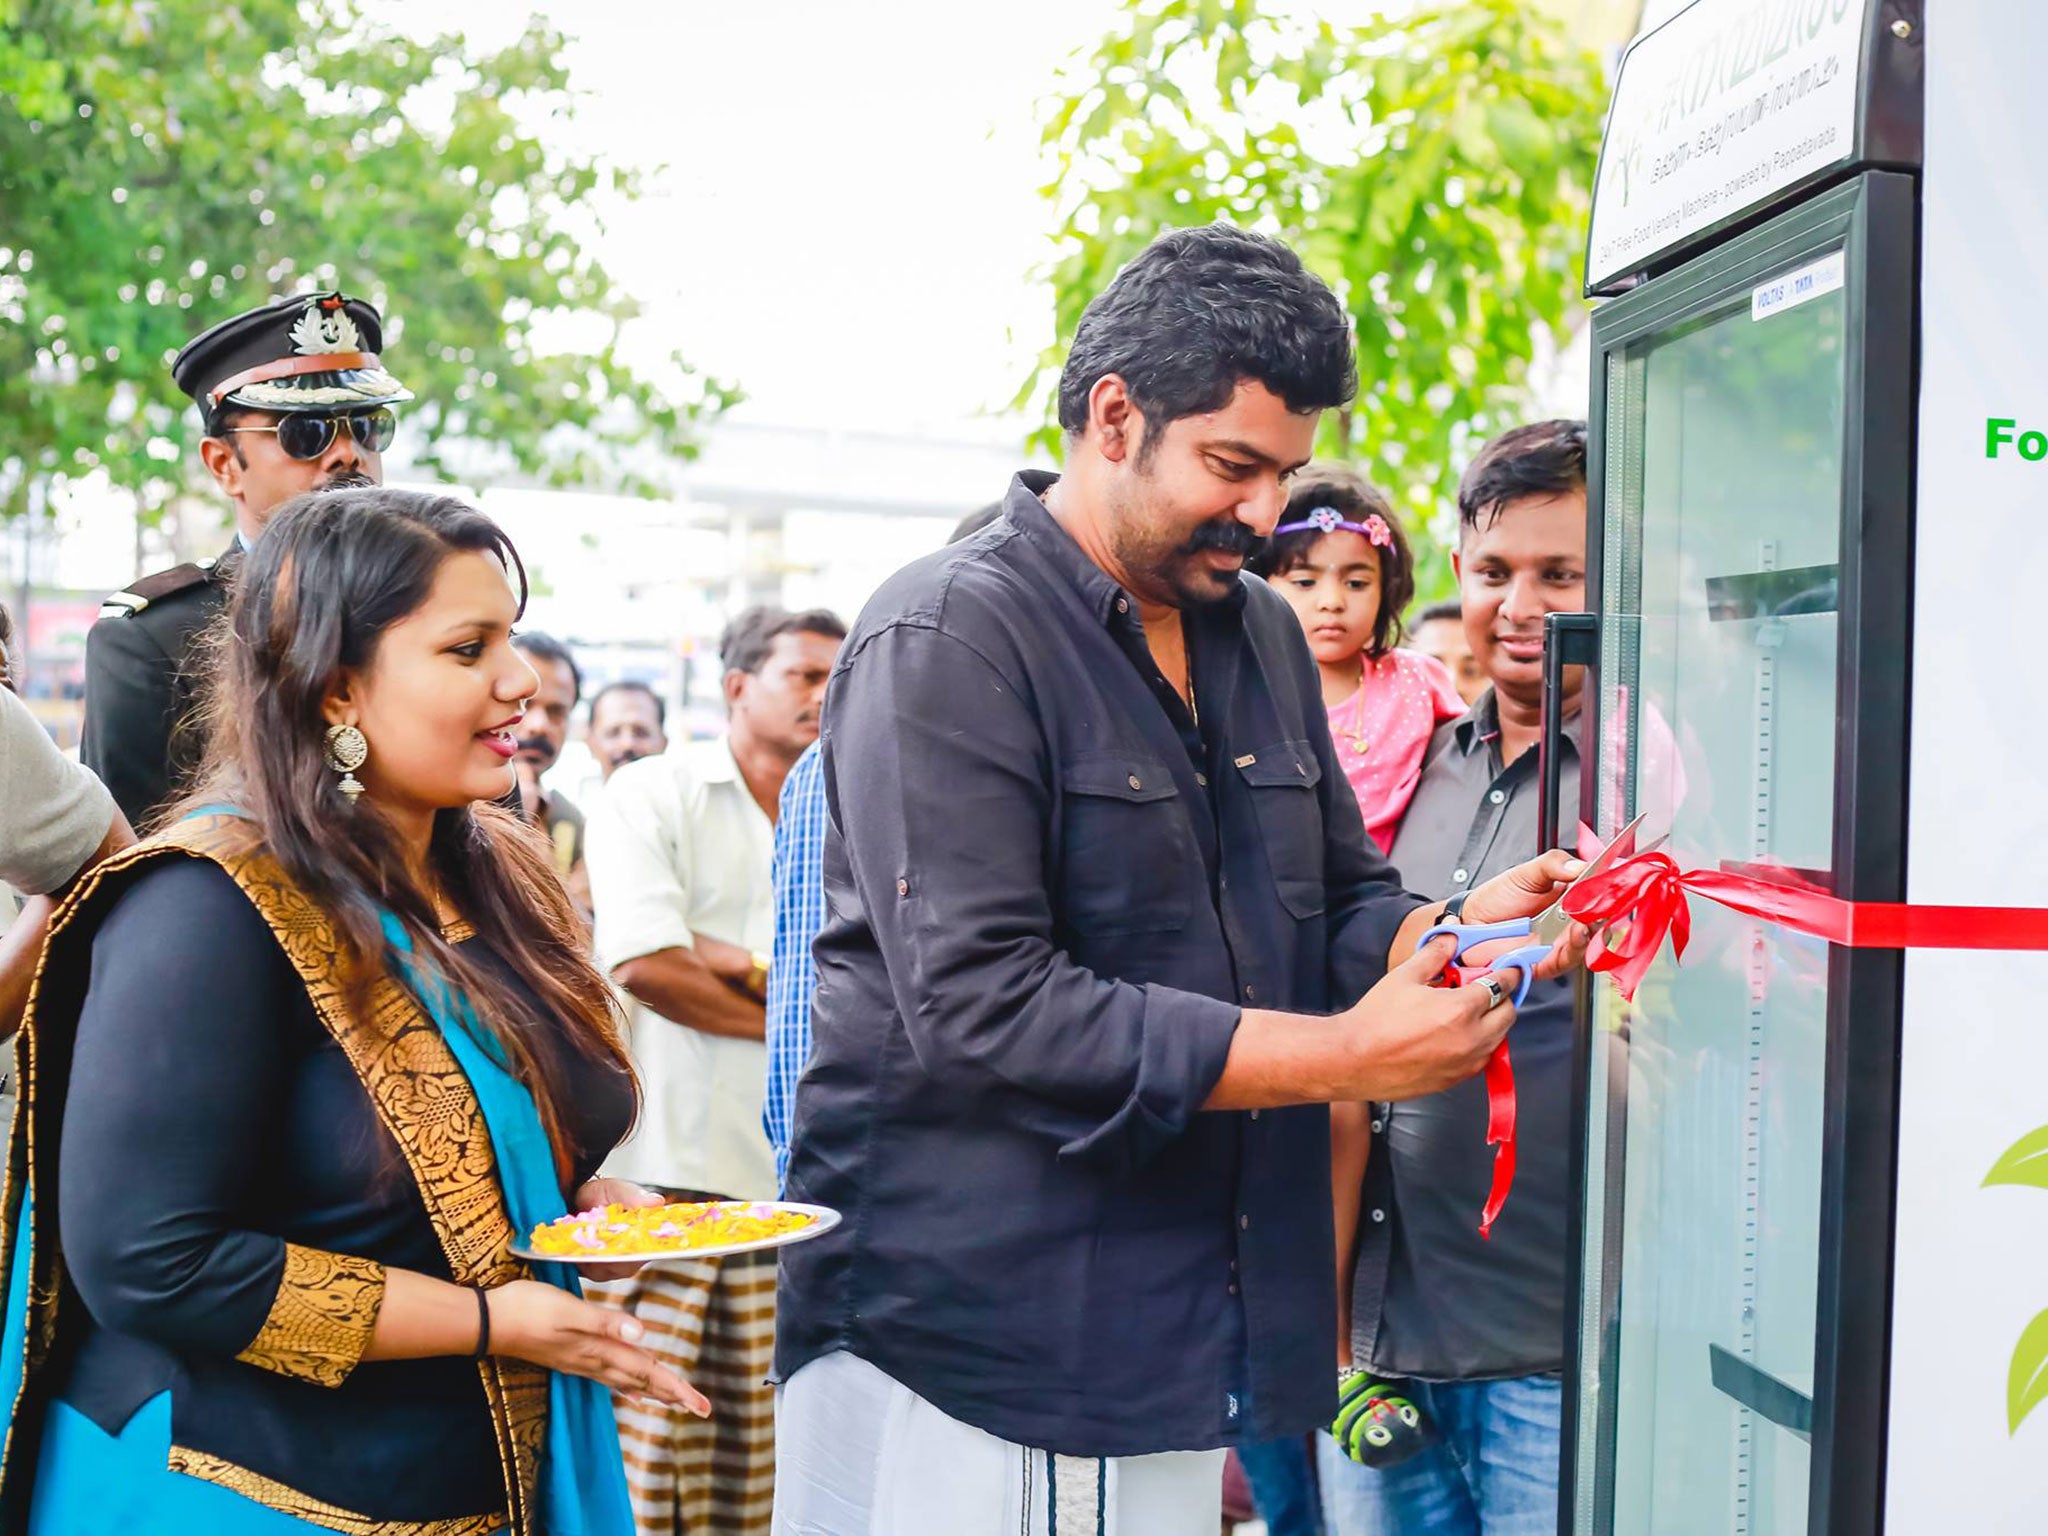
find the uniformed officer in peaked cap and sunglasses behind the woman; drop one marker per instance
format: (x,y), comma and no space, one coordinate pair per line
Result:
(294,400)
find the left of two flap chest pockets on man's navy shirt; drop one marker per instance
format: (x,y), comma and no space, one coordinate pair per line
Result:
(1127,857)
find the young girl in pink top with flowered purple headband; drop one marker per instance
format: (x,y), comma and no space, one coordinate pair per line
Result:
(1340,558)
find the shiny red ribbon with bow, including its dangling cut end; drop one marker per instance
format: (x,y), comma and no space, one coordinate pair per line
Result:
(1641,902)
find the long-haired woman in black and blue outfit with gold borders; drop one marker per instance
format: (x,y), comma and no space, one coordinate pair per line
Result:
(298,1070)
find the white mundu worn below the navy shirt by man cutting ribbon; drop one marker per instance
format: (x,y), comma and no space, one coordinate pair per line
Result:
(861,1455)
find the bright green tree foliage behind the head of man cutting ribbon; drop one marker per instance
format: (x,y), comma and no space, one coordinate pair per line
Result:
(1433,165)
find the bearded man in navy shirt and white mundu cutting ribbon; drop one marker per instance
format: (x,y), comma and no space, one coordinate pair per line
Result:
(1101,910)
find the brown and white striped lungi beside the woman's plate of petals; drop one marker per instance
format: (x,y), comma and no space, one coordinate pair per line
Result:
(712,1322)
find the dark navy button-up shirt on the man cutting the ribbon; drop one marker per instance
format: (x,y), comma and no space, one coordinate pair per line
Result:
(1027,988)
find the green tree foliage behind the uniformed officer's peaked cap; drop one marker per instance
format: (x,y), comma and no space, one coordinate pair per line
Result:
(171,163)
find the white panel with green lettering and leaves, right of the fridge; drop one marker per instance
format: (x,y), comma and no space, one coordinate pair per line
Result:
(1971,1285)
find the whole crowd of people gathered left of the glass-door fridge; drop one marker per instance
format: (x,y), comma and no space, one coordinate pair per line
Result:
(1062,925)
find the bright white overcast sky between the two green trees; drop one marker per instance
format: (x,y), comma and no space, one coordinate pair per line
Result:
(849,214)
